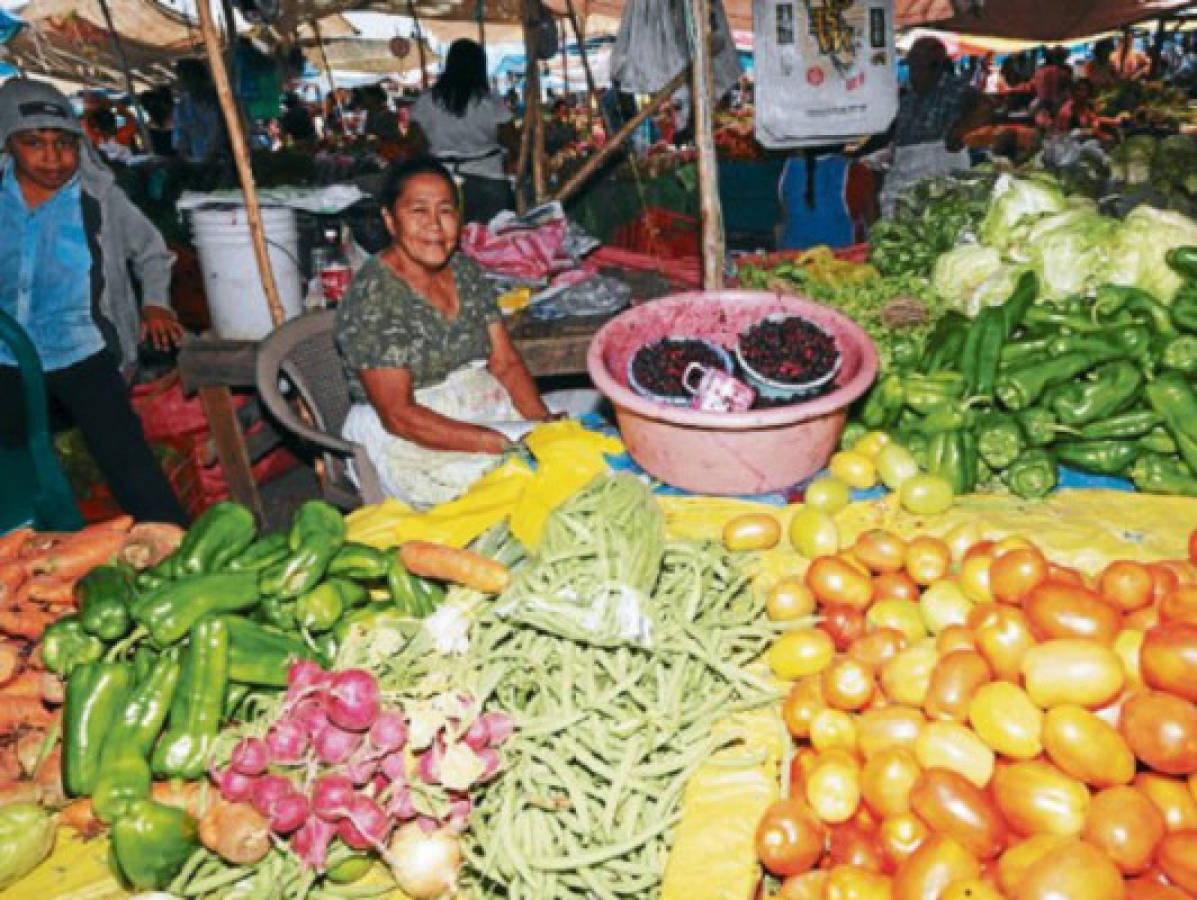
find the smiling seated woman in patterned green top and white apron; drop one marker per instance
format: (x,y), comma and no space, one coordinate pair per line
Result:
(426,351)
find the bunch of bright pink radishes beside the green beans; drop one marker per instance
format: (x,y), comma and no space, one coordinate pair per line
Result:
(337,764)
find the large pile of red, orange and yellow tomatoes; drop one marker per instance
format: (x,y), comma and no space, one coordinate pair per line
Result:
(973,721)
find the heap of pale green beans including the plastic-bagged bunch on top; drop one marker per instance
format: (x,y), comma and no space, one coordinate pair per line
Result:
(610,729)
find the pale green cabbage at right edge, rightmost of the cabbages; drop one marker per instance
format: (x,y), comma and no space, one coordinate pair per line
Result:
(1138,248)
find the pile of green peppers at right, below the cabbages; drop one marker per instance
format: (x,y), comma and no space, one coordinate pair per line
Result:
(1104,385)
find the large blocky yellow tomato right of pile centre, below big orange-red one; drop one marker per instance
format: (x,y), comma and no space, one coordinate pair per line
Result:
(1073,671)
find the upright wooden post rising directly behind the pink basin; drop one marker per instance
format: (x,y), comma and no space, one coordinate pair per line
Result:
(703,113)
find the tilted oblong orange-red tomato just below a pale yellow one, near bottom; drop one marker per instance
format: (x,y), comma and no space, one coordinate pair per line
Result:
(952,805)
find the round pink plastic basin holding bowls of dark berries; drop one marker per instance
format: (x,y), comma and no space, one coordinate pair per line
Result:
(728,453)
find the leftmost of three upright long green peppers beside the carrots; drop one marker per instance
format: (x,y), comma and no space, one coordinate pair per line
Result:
(95,695)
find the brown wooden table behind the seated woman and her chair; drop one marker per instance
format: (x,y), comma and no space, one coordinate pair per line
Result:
(216,367)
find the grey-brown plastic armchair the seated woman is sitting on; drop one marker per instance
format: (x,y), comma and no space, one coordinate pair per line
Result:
(303,352)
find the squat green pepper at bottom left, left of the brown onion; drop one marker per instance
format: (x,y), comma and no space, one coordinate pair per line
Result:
(151,843)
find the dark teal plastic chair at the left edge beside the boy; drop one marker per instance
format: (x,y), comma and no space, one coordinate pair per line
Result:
(34,490)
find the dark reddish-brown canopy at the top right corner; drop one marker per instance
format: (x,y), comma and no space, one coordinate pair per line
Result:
(1032,20)
